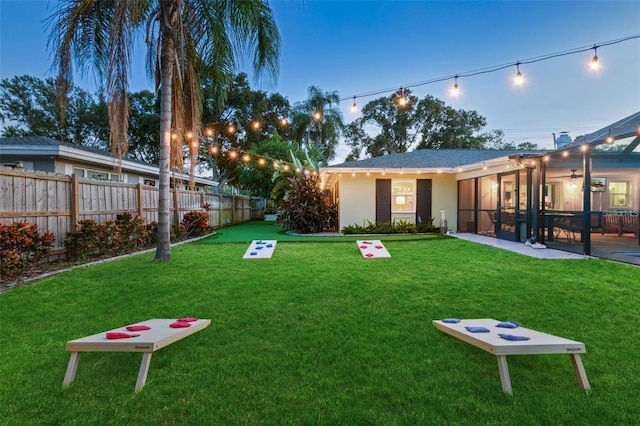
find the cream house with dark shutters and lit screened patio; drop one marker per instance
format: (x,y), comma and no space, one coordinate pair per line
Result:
(513,195)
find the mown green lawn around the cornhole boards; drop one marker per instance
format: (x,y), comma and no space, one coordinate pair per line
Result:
(319,335)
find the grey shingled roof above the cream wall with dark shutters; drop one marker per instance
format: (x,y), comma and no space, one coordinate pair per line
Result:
(431,159)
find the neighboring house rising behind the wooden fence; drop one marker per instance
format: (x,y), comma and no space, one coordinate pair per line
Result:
(49,155)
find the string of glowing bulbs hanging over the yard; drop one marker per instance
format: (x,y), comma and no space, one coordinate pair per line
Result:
(208,136)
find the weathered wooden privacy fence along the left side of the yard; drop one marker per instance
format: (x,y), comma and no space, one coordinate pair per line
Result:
(56,203)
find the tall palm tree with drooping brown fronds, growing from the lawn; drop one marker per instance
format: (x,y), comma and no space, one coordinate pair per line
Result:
(187,40)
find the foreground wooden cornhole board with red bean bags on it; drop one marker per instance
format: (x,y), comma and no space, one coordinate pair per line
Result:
(148,341)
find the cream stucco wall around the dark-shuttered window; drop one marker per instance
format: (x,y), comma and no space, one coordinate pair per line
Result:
(357,202)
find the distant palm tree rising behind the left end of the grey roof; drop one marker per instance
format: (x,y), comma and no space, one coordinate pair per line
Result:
(317,121)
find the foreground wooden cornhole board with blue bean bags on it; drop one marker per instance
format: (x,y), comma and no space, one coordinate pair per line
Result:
(538,343)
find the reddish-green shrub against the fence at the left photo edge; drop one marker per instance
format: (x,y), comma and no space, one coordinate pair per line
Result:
(22,245)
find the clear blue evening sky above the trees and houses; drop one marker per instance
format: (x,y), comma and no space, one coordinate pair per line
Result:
(355,47)
